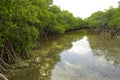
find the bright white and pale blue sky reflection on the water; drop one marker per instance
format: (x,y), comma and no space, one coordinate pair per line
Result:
(80,62)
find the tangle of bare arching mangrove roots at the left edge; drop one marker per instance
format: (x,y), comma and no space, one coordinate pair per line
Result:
(9,55)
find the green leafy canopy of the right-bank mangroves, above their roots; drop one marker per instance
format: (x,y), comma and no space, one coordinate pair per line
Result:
(108,18)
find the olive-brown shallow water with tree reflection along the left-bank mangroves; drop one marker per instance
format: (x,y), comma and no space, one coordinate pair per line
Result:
(46,56)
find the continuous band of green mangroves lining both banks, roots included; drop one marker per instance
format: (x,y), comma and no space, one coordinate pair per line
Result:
(23,23)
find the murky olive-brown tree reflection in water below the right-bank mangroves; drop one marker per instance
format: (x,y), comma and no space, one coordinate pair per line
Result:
(110,49)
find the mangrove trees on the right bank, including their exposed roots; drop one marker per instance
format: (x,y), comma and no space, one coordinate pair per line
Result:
(105,22)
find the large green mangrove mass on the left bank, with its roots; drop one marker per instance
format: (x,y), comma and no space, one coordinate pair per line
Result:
(22,22)
